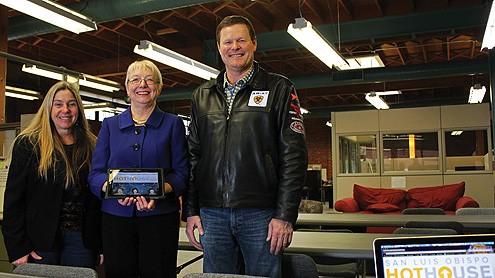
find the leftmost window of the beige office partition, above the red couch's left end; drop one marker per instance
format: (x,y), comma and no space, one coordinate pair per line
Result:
(358,154)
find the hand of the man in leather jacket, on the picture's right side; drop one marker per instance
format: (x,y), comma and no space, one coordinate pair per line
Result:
(279,235)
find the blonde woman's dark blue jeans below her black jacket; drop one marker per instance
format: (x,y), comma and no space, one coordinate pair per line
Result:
(72,252)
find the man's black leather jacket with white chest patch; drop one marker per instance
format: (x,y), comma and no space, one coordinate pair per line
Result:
(257,157)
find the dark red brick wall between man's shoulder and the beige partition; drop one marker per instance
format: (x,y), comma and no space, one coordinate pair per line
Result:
(318,138)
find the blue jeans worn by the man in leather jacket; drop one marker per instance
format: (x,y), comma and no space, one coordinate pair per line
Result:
(229,231)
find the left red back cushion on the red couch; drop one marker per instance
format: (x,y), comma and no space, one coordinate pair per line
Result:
(366,196)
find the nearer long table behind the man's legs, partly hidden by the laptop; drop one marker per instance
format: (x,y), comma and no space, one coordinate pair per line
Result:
(341,245)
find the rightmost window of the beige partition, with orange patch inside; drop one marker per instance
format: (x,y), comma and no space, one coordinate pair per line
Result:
(466,150)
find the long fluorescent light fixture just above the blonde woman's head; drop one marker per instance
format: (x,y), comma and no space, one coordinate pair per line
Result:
(84,79)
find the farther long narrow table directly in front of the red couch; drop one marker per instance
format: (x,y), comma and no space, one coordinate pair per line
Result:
(390,220)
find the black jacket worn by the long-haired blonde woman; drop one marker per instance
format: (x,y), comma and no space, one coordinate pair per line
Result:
(31,212)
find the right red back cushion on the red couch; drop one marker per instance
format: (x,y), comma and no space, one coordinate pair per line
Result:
(443,196)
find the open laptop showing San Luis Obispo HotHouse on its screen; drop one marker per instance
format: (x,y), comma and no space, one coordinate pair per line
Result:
(435,256)
